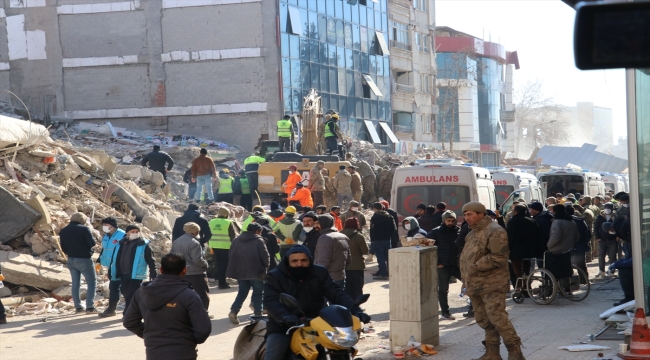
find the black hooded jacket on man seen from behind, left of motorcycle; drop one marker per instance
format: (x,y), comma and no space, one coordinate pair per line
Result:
(175,317)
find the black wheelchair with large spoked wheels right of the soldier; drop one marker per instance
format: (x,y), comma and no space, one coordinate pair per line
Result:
(542,279)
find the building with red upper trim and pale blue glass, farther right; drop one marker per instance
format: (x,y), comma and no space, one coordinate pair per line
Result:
(475,96)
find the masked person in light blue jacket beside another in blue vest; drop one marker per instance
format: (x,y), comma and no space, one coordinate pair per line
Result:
(110,241)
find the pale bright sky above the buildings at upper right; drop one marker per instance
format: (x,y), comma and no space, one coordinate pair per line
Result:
(541,31)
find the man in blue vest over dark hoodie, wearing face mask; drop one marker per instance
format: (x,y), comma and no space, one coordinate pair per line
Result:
(130,262)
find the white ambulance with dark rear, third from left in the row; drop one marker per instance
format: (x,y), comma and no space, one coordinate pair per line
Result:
(571,181)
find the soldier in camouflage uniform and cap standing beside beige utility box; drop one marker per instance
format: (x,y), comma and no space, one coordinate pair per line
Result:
(484,269)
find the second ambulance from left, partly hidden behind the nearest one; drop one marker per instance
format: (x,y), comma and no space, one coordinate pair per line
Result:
(507,180)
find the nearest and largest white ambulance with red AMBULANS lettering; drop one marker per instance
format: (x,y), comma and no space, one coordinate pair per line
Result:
(450,182)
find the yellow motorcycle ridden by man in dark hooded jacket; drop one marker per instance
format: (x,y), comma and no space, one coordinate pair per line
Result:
(330,336)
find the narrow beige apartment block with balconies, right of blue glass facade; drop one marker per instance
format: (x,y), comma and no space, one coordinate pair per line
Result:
(413,68)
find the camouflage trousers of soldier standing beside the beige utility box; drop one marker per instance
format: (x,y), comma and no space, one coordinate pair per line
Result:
(490,314)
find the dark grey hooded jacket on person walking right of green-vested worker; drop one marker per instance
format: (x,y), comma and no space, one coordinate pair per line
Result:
(248,257)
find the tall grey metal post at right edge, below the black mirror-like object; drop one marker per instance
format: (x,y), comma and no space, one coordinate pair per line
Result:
(635,206)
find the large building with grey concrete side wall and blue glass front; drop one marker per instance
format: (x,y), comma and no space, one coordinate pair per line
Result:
(225,69)
